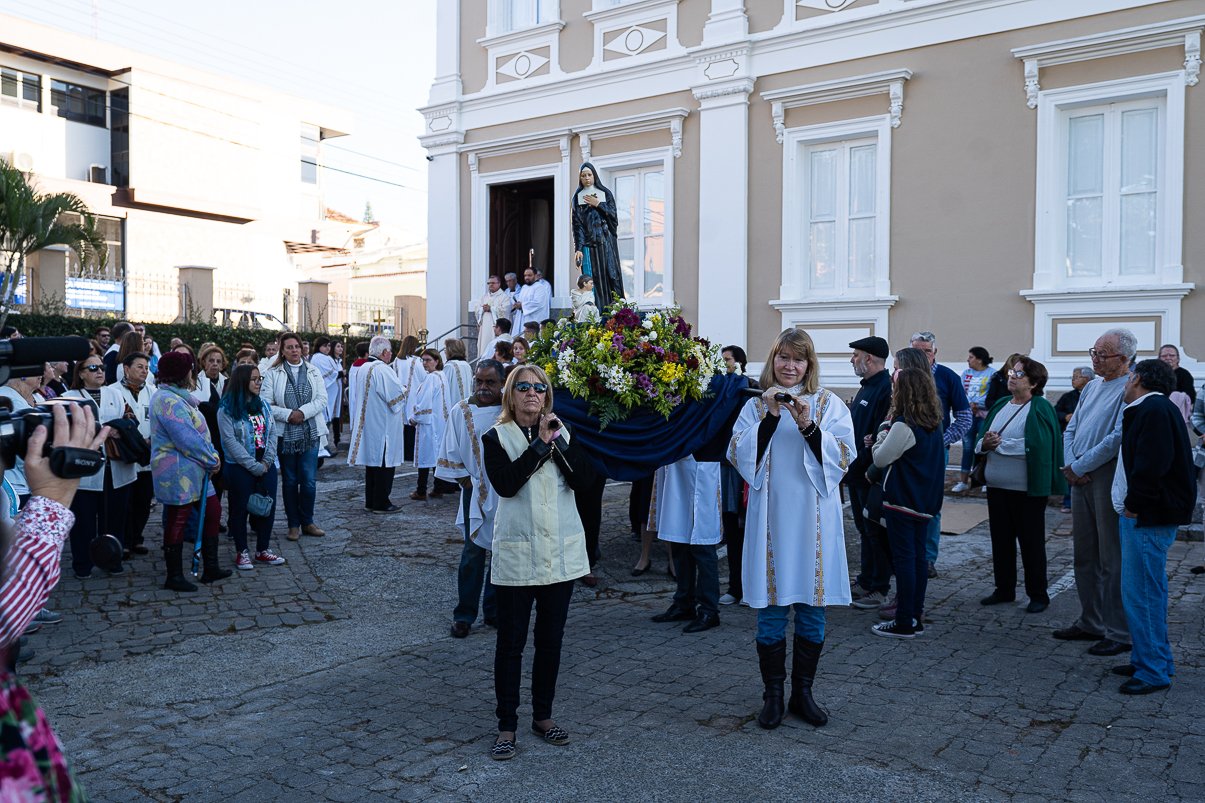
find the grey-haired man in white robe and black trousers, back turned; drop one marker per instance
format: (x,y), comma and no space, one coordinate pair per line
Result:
(378,438)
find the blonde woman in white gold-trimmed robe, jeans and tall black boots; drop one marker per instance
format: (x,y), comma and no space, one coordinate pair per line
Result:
(793,446)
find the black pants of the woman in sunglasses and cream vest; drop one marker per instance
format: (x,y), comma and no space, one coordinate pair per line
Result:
(515,606)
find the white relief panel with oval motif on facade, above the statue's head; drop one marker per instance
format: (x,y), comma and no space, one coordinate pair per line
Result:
(632,22)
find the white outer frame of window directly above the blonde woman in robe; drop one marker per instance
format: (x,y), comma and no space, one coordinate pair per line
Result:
(796,265)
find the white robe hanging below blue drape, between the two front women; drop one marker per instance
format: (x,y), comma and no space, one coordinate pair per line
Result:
(687,503)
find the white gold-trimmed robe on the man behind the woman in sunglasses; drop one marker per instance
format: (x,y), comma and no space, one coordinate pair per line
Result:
(463,459)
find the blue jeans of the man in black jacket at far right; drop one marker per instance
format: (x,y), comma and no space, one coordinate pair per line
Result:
(1145,599)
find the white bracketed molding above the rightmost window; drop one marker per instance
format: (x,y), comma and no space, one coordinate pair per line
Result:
(1175,33)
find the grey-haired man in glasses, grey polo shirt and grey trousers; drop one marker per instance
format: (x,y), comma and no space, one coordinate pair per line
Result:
(1091,443)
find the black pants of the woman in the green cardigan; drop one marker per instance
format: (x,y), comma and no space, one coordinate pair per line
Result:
(1015,517)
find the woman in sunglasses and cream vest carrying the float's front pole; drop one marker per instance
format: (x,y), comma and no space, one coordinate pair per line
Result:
(539,547)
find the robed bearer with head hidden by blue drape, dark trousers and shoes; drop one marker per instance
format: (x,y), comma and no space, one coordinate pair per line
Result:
(687,515)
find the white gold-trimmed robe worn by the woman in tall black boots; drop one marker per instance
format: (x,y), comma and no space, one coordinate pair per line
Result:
(795,532)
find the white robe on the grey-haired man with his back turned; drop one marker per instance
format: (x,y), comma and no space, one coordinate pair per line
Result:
(378,433)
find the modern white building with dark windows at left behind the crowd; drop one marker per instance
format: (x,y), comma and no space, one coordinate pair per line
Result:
(186,169)
